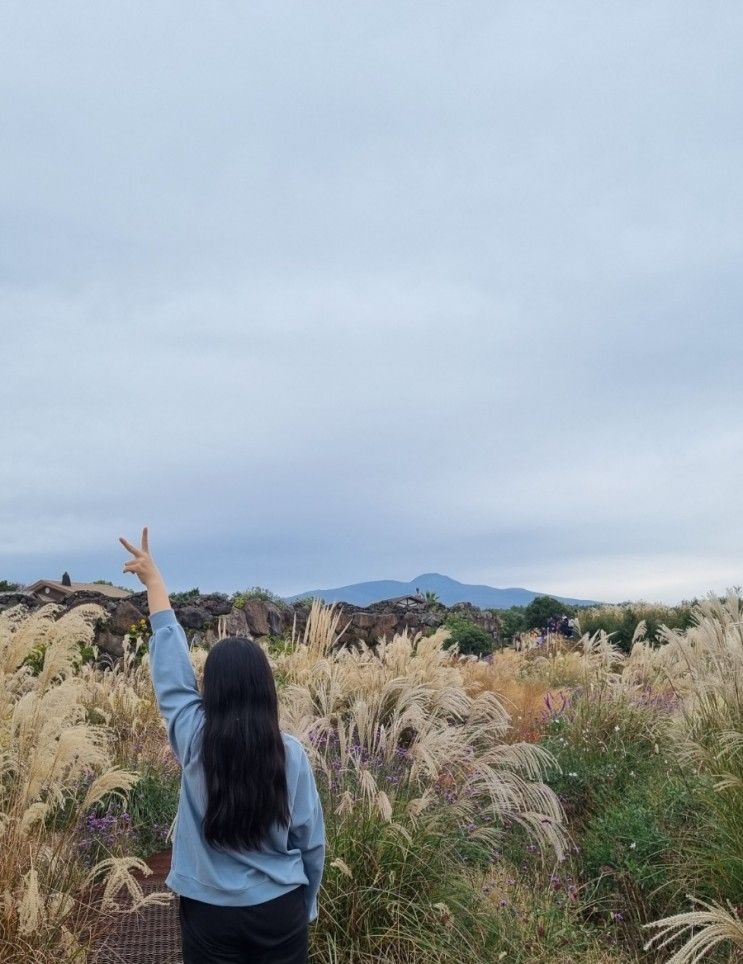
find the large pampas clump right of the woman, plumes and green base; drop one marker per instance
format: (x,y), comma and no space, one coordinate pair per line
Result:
(419,785)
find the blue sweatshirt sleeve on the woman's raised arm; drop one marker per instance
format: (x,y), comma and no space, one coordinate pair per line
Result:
(174,680)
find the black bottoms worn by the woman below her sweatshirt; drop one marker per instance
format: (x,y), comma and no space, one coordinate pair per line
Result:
(274,932)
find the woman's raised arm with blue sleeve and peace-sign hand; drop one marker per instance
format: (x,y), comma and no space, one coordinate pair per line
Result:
(173,677)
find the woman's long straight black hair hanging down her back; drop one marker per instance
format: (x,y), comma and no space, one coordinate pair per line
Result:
(242,750)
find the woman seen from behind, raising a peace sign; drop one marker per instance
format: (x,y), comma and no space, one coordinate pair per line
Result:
(249,844)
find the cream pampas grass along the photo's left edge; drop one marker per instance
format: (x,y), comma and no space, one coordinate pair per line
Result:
(54,763)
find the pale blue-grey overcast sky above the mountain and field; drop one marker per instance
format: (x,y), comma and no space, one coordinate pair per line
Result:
(331,292)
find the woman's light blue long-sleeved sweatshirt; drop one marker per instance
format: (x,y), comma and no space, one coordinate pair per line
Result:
(293,855)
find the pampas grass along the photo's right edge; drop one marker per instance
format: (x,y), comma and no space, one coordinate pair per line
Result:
(703,666)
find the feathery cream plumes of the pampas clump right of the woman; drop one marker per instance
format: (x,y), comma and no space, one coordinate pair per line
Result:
(410,693)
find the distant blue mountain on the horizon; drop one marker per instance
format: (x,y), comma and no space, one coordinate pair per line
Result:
(448,590)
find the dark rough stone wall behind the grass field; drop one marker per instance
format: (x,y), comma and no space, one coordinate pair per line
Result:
(208,617)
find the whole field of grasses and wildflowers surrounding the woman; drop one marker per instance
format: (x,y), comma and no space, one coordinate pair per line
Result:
(569,800)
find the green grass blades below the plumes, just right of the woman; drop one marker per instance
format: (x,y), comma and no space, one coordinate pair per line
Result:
(395,887)
